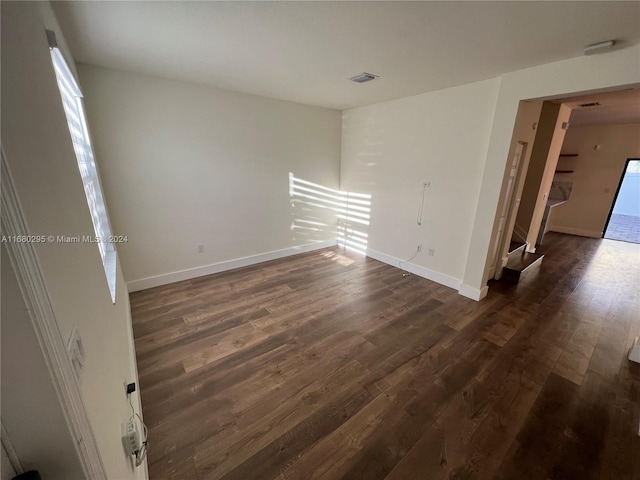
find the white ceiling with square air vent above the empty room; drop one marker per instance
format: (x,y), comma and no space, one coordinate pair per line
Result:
(307,51)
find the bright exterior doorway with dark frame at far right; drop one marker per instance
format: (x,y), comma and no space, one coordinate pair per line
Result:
(623,222)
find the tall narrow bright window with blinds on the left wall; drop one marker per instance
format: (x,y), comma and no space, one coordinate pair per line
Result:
(74,111)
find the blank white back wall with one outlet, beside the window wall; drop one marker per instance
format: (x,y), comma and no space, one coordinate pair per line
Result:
(184,165)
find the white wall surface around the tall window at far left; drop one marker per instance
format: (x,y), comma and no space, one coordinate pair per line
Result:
(40,155)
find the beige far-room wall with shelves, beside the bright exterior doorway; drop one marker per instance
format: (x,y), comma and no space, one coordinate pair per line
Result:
(595,177)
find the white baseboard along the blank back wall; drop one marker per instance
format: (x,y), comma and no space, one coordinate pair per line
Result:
(164,279)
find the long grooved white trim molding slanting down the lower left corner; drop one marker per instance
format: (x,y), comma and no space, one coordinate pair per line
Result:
(32,285)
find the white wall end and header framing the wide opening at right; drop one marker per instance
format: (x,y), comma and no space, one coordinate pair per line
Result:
(577,75)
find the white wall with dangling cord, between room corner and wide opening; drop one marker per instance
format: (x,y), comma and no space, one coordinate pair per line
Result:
(390,149)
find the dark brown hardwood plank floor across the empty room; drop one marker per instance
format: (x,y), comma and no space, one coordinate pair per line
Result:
(329,365)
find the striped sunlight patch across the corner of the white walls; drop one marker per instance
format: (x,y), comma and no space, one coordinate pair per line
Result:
(314,208)
